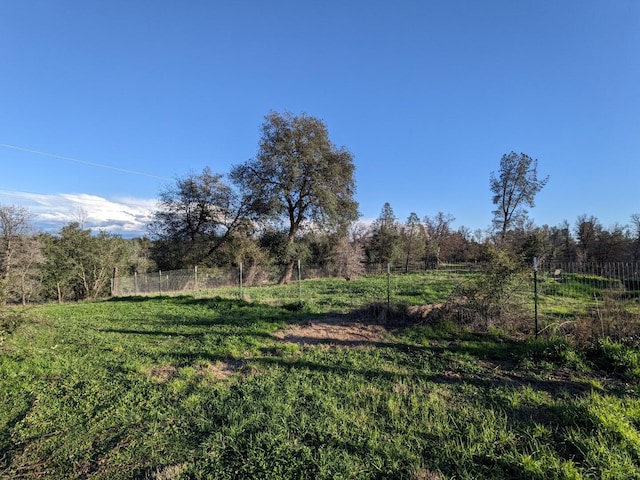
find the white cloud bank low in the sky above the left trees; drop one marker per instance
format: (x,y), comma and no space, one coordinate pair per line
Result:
(125,216)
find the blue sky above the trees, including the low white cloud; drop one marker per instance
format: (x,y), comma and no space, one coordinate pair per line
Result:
(123,97)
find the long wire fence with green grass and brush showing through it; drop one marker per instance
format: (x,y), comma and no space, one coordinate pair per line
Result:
(573,298)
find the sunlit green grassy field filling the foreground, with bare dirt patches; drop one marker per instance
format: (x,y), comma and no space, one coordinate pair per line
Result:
(216,387)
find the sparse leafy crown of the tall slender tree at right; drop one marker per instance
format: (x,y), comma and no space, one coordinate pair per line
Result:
(514,189)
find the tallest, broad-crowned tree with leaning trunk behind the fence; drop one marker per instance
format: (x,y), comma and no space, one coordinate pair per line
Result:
(297,179)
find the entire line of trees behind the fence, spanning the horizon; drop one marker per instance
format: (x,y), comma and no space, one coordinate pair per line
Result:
(293,201)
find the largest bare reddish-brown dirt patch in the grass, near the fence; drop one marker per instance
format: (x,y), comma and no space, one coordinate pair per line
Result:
(333,331)
